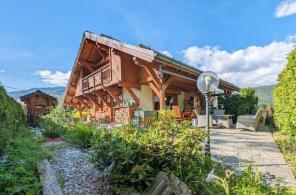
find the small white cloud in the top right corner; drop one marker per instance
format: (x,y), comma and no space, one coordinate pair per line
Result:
(285,8)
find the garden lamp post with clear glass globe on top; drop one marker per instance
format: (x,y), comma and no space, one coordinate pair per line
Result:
(207,83)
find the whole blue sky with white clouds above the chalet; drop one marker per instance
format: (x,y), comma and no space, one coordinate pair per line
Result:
(39,39)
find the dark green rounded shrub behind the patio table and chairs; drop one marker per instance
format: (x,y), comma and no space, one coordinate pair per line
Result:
(239,104)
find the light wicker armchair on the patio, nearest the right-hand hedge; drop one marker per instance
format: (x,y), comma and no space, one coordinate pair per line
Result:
(249,122)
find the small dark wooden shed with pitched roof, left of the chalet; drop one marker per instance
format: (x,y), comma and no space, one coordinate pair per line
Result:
(37,104)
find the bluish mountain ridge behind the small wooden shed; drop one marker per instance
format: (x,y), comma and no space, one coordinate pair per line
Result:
(57,92)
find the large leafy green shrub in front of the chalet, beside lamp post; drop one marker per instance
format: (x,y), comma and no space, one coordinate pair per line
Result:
(140,154)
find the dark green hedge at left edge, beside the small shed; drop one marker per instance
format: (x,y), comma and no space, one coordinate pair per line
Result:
(12,118)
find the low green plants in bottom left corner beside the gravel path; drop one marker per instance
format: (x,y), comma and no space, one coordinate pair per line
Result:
(18,169)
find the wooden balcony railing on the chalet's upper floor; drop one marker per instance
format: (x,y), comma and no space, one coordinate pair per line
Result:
(96,79)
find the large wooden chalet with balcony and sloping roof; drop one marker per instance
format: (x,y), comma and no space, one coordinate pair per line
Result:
(112,79)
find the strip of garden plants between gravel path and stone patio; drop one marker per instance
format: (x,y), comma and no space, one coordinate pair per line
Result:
(166,145)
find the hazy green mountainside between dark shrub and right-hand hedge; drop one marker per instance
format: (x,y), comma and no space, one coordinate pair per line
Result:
(265,94)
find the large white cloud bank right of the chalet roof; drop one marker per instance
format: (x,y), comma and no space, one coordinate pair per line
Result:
(251,66)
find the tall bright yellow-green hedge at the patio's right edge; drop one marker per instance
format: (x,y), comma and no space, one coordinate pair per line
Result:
(285,97)
